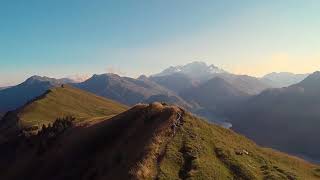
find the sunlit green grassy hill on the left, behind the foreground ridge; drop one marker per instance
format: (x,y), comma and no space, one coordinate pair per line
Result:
(66,100)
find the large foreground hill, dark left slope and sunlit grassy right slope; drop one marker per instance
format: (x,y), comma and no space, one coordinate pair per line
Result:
(148,142)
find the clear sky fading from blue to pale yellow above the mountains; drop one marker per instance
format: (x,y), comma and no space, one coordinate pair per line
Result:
(78,38)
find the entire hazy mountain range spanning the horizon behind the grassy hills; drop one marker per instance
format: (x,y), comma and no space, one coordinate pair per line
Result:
(252,105)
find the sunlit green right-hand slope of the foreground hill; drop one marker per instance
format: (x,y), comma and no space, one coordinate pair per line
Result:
(204,151)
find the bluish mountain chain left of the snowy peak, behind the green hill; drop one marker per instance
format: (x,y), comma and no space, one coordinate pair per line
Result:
(122,89)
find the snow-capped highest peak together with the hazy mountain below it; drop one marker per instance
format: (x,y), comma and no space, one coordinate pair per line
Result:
(212,91)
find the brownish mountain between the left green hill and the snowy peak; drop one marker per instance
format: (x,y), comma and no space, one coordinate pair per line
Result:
(128,90)
